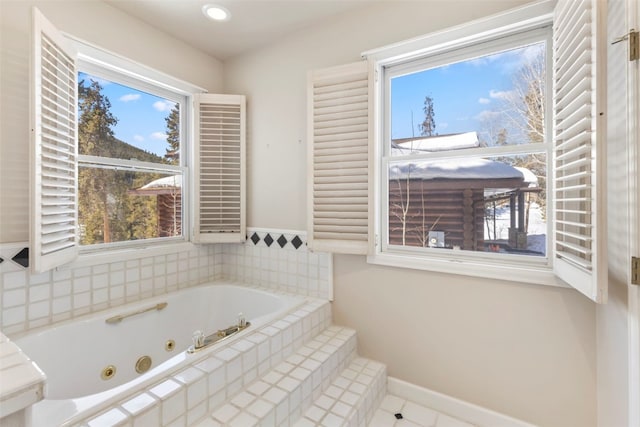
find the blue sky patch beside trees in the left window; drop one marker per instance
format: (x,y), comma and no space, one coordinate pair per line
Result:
(141,116)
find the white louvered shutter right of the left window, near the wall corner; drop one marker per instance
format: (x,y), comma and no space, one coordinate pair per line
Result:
(220,135)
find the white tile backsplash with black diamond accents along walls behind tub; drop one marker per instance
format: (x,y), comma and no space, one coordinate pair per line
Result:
(29,301)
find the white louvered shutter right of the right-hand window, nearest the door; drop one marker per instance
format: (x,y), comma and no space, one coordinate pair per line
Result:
(579,151)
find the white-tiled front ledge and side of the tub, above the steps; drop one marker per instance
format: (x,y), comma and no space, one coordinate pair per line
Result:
(212,376)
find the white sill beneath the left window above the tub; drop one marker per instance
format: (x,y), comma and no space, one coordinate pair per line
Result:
(97,257)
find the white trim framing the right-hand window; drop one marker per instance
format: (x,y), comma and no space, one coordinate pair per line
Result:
(525,269)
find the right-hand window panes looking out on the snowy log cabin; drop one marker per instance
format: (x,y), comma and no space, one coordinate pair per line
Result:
(465,150)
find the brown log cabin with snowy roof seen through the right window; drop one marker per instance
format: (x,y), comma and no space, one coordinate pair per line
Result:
(450,197)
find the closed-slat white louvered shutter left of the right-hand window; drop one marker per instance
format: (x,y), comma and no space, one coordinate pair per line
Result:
(340,184)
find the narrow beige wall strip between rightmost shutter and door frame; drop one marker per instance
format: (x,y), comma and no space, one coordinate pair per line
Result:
(613,342)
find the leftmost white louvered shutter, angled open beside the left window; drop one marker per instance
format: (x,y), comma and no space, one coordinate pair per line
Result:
(53,217)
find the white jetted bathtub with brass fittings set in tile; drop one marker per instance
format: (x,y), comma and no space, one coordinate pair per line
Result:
(92,360)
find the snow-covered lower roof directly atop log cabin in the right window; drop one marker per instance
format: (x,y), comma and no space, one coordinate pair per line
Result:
(480,169)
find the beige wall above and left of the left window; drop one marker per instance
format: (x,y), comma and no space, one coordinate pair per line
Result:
(96,23)
